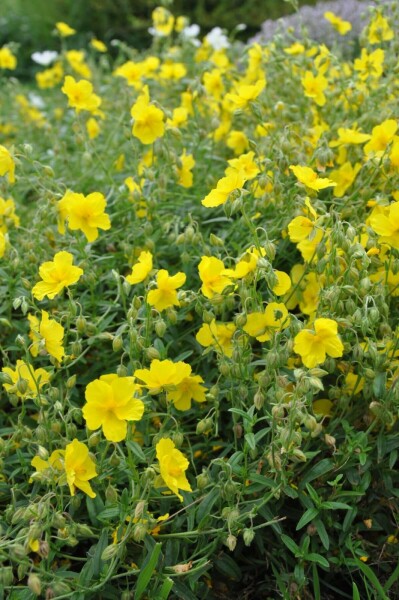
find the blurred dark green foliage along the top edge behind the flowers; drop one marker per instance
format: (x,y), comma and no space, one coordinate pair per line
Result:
(31,24)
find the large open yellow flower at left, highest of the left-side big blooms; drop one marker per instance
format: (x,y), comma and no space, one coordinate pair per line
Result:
(85,213)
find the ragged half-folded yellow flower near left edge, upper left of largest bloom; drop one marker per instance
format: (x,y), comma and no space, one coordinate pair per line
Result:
(47,334)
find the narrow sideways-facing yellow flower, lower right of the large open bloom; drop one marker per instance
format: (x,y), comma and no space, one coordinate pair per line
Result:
(172,466)
